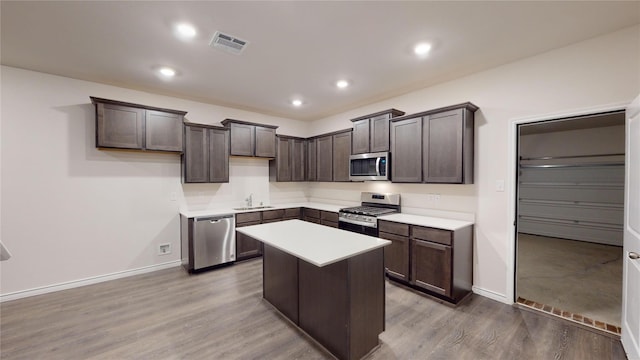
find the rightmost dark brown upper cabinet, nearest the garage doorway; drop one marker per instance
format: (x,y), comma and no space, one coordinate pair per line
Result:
(448,147)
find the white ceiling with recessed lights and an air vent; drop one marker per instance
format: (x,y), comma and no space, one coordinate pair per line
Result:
(295,48)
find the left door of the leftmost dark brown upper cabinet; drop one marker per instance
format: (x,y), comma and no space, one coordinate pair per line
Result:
(119,126)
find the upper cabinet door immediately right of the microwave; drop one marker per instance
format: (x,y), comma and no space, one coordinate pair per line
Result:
(406,150)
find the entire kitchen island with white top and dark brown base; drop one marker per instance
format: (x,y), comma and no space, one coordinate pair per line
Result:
(328,282)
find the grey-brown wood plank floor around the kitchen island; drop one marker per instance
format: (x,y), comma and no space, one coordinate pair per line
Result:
(220,314)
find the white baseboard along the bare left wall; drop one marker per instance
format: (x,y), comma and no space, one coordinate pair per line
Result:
(88,281)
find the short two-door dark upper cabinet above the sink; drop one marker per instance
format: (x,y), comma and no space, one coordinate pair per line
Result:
(250,139)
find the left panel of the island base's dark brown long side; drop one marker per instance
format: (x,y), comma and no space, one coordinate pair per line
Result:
(280,285)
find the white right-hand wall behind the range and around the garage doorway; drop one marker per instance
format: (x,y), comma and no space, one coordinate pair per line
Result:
(589,74)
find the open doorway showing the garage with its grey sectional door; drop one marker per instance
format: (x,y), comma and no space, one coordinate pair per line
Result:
(570,208)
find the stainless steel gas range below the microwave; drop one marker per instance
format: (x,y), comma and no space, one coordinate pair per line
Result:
(363,219)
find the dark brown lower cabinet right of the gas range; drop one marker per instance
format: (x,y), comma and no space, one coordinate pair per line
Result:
(435,261)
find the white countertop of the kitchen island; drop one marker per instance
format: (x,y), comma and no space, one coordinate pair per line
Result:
(317,244)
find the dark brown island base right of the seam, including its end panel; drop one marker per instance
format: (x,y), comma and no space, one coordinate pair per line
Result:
(342,305)
